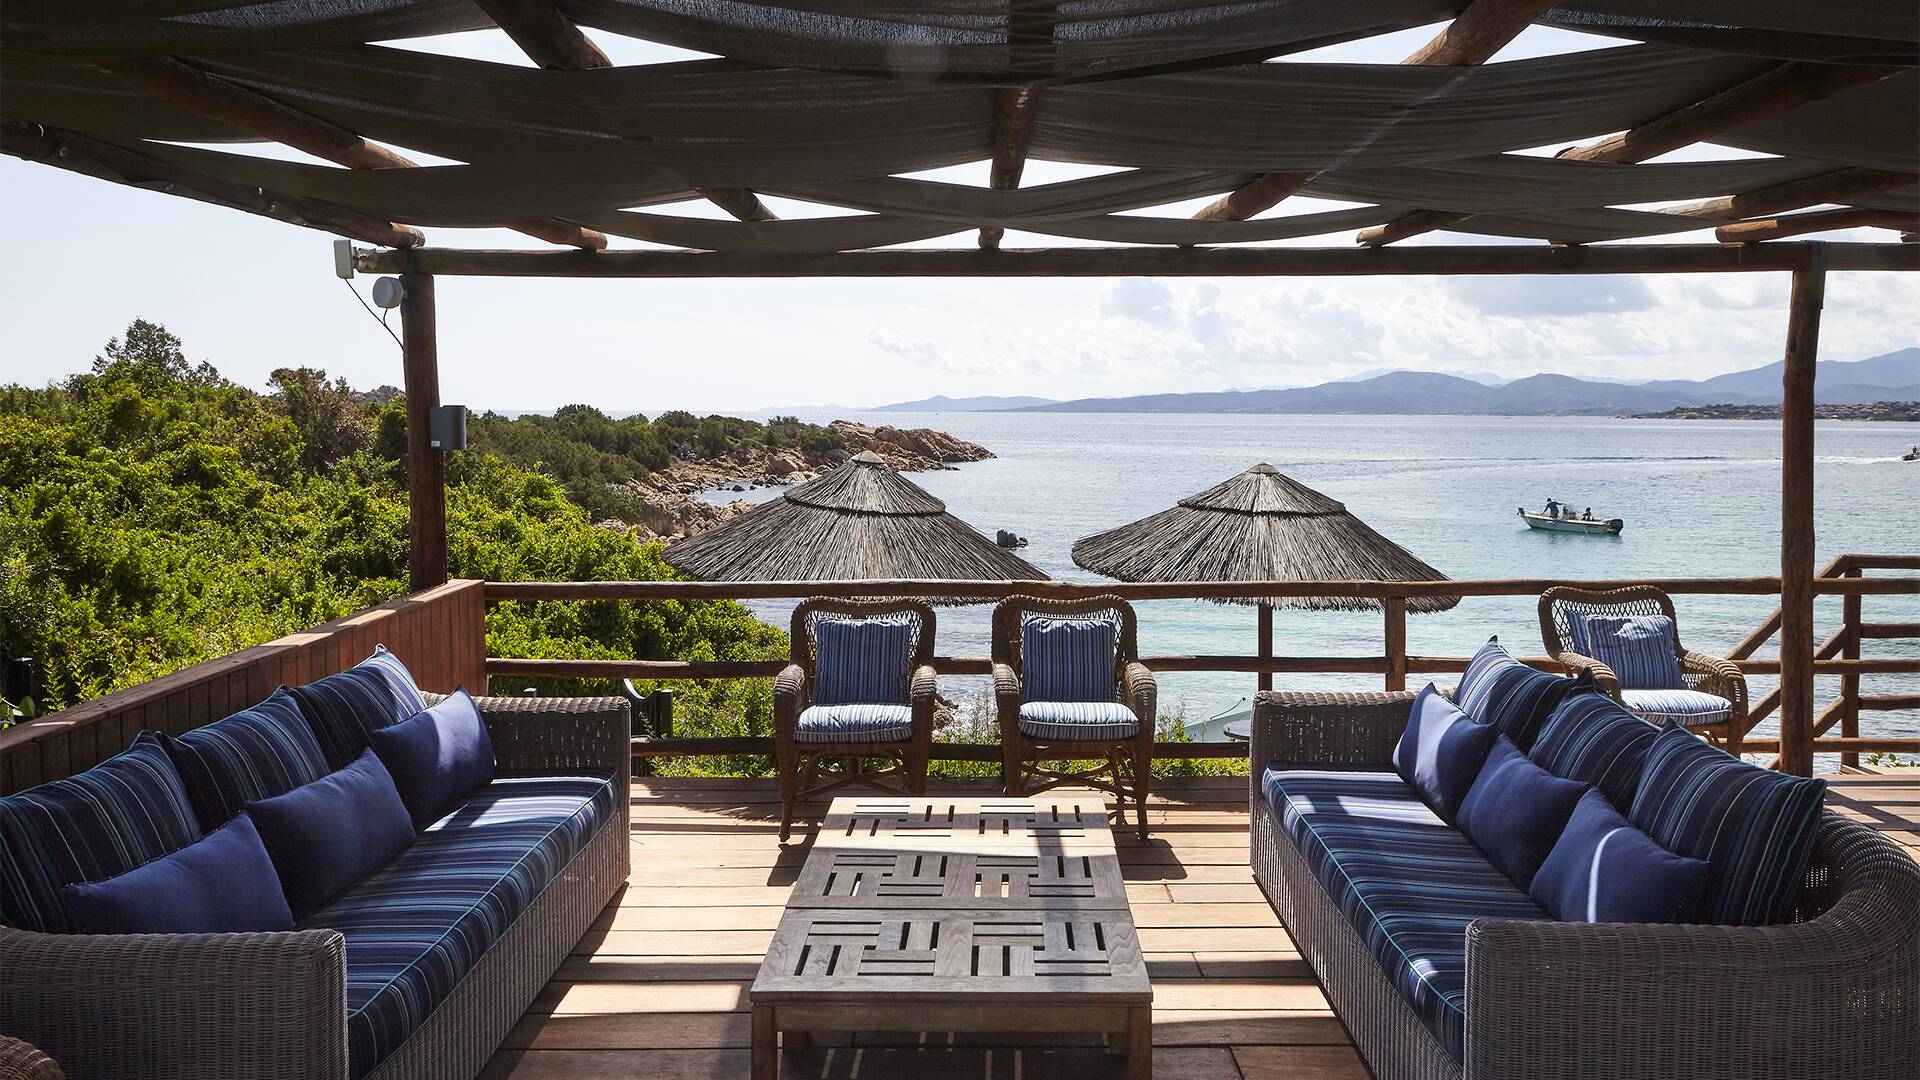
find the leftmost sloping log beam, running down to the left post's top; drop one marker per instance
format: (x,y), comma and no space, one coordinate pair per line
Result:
(103,160)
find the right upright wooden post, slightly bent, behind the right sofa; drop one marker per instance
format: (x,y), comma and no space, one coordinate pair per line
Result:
(1796,514)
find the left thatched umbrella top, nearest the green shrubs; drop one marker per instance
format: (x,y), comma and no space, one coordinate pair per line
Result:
(859,522)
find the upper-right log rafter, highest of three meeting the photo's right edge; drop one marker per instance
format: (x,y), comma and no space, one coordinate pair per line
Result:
(1765,95)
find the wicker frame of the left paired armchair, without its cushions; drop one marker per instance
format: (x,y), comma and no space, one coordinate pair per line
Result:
(805,760)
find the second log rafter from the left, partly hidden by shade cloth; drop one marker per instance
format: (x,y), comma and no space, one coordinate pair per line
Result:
(233,105)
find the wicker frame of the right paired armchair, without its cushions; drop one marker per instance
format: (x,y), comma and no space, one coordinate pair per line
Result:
(1124,764)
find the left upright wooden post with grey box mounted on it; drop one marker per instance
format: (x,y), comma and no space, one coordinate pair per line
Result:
(427,470)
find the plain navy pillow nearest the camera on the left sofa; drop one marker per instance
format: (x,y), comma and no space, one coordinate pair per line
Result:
(220,885)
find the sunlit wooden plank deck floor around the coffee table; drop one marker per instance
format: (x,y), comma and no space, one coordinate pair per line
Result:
(660,989)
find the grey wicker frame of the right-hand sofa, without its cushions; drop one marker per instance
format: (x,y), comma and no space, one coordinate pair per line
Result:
(1833,994)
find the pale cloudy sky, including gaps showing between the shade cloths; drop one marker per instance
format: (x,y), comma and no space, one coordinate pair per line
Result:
(254,295)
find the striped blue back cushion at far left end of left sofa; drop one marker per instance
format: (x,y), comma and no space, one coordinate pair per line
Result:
(126,812)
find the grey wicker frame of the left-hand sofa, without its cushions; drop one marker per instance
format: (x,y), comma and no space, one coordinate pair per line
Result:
(276,1006)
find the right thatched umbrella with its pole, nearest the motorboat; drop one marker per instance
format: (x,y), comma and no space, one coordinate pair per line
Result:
(1260,526)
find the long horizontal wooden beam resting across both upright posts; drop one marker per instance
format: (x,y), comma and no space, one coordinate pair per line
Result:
(1157,262)
